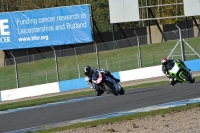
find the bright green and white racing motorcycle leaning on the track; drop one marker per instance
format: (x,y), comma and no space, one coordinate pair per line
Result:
(180,72)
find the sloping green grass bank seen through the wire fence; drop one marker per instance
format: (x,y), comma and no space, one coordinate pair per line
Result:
(44,71)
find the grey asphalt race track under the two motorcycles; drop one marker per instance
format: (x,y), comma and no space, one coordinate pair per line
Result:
(93,106)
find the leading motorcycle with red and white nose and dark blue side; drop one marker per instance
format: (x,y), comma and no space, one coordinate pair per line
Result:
(107,84)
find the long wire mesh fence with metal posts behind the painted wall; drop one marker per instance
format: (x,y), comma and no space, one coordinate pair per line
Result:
(119,55)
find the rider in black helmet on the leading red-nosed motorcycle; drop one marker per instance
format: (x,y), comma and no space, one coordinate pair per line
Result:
(88,73)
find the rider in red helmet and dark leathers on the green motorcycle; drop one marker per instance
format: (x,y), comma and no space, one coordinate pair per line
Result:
(164,62)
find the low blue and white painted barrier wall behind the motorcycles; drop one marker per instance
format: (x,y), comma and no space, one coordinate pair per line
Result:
(74,84)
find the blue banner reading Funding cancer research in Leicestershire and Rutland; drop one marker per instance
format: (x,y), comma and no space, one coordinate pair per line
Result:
(45,27)
